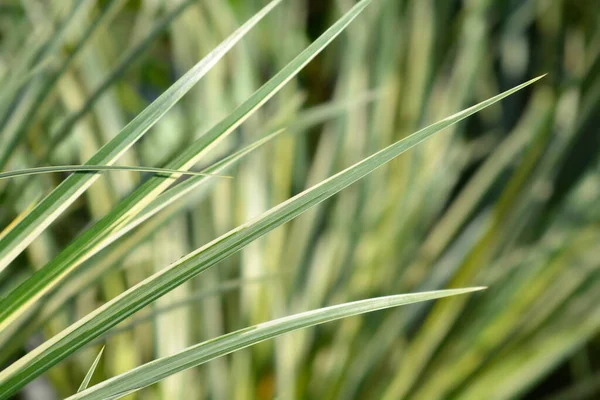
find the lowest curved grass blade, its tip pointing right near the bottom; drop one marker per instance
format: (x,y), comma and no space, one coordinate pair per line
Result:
(158,370)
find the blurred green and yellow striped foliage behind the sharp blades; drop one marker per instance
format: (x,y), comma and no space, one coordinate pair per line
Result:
(509,199)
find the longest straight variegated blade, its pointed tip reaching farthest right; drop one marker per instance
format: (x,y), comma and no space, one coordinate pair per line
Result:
(137,297)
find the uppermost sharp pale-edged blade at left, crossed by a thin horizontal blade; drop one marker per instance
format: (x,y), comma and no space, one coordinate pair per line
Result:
(57,201)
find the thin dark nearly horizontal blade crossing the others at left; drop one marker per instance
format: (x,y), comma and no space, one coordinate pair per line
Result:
(99,168)
